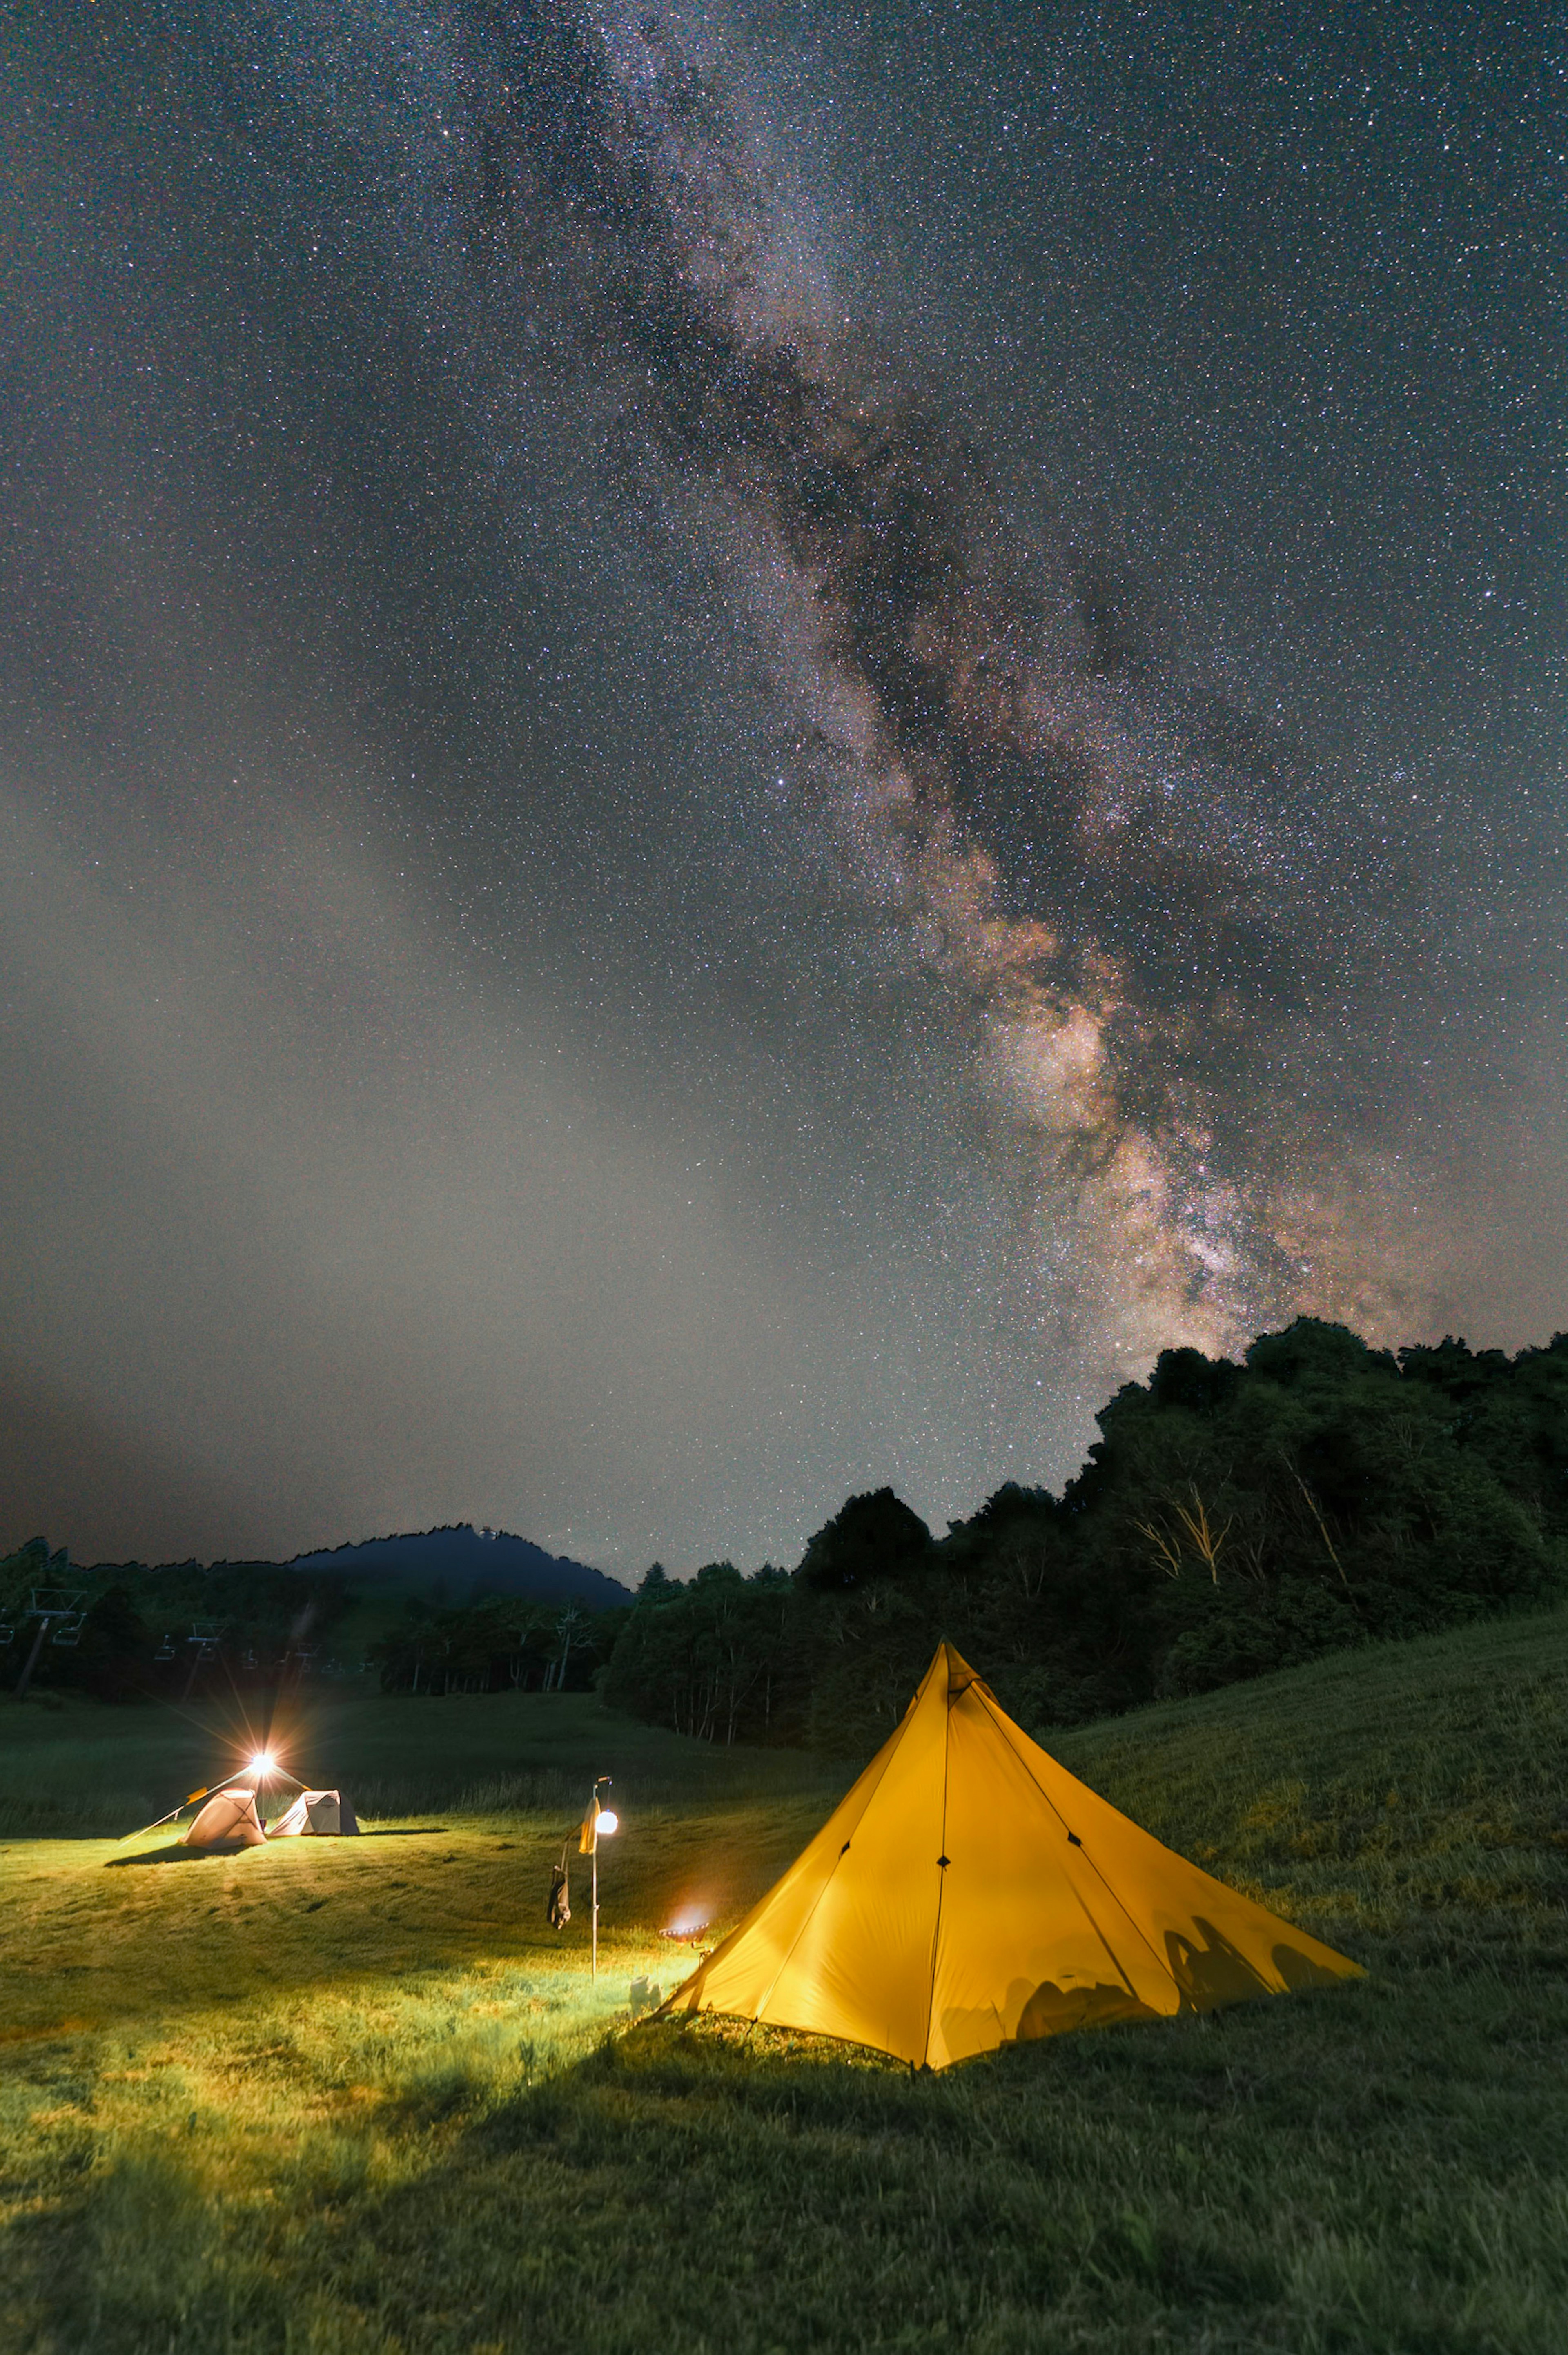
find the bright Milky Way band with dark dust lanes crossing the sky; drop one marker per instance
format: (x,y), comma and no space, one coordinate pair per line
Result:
(1155,983)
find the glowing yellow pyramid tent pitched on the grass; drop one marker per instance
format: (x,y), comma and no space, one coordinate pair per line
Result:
(971,1892)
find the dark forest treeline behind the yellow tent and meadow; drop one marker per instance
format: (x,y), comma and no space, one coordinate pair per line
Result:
(1233,1518)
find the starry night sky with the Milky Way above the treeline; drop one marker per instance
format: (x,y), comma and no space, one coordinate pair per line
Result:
(736,748)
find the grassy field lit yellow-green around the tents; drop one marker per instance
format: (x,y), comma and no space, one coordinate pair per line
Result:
(357,2097)
